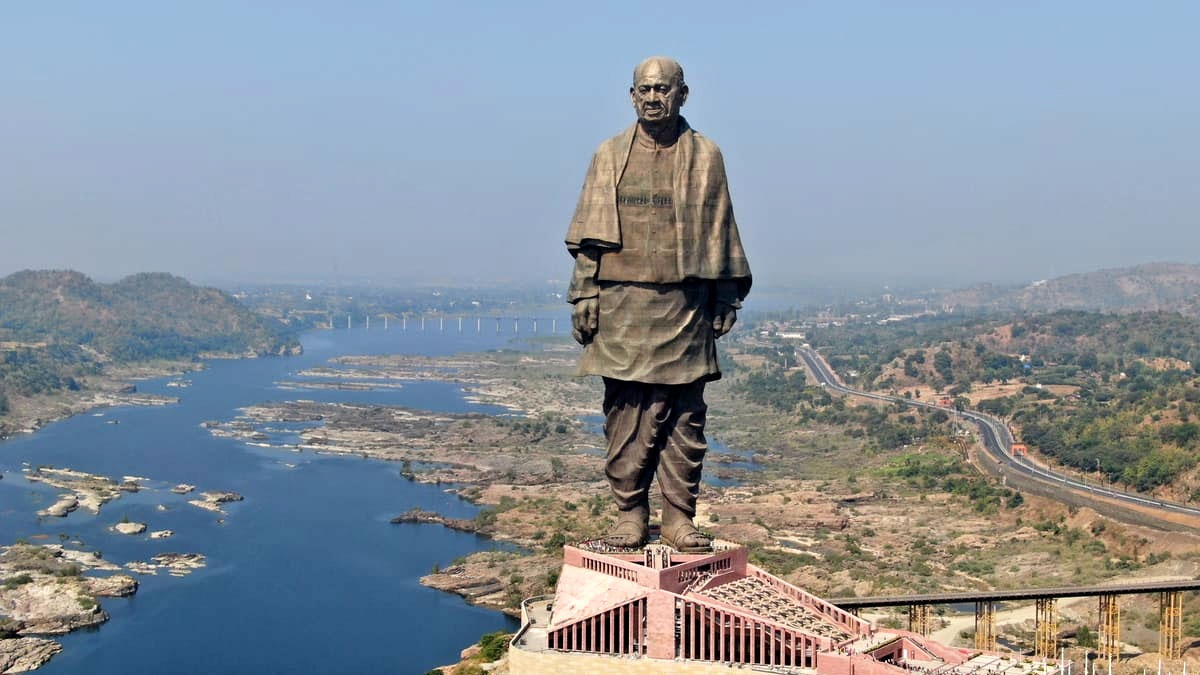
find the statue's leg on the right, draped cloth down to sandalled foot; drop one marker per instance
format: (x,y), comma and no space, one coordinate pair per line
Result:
(680,470)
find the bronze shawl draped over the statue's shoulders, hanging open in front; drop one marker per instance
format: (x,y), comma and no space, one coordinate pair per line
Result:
(709,242)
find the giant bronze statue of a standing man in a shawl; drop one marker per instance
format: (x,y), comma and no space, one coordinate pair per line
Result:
(659,277)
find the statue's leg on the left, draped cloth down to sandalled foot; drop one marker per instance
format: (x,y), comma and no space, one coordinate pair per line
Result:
(634,414)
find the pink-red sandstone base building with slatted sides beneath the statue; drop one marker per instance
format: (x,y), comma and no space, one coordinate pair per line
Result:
(663,612)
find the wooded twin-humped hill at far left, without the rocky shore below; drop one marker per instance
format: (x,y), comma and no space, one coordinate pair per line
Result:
(140,318)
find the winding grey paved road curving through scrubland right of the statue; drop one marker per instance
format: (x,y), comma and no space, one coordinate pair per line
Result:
(1024,474)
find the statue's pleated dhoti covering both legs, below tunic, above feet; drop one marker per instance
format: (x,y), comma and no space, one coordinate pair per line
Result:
(655,429)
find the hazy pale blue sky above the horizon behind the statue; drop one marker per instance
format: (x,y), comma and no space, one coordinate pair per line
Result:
(399,141)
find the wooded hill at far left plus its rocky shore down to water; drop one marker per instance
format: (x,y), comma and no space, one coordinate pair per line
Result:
(62,332)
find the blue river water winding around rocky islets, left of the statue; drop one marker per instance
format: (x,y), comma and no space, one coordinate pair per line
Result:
(305,576)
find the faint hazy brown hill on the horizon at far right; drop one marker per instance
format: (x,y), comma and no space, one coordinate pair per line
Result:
(1173,288)
